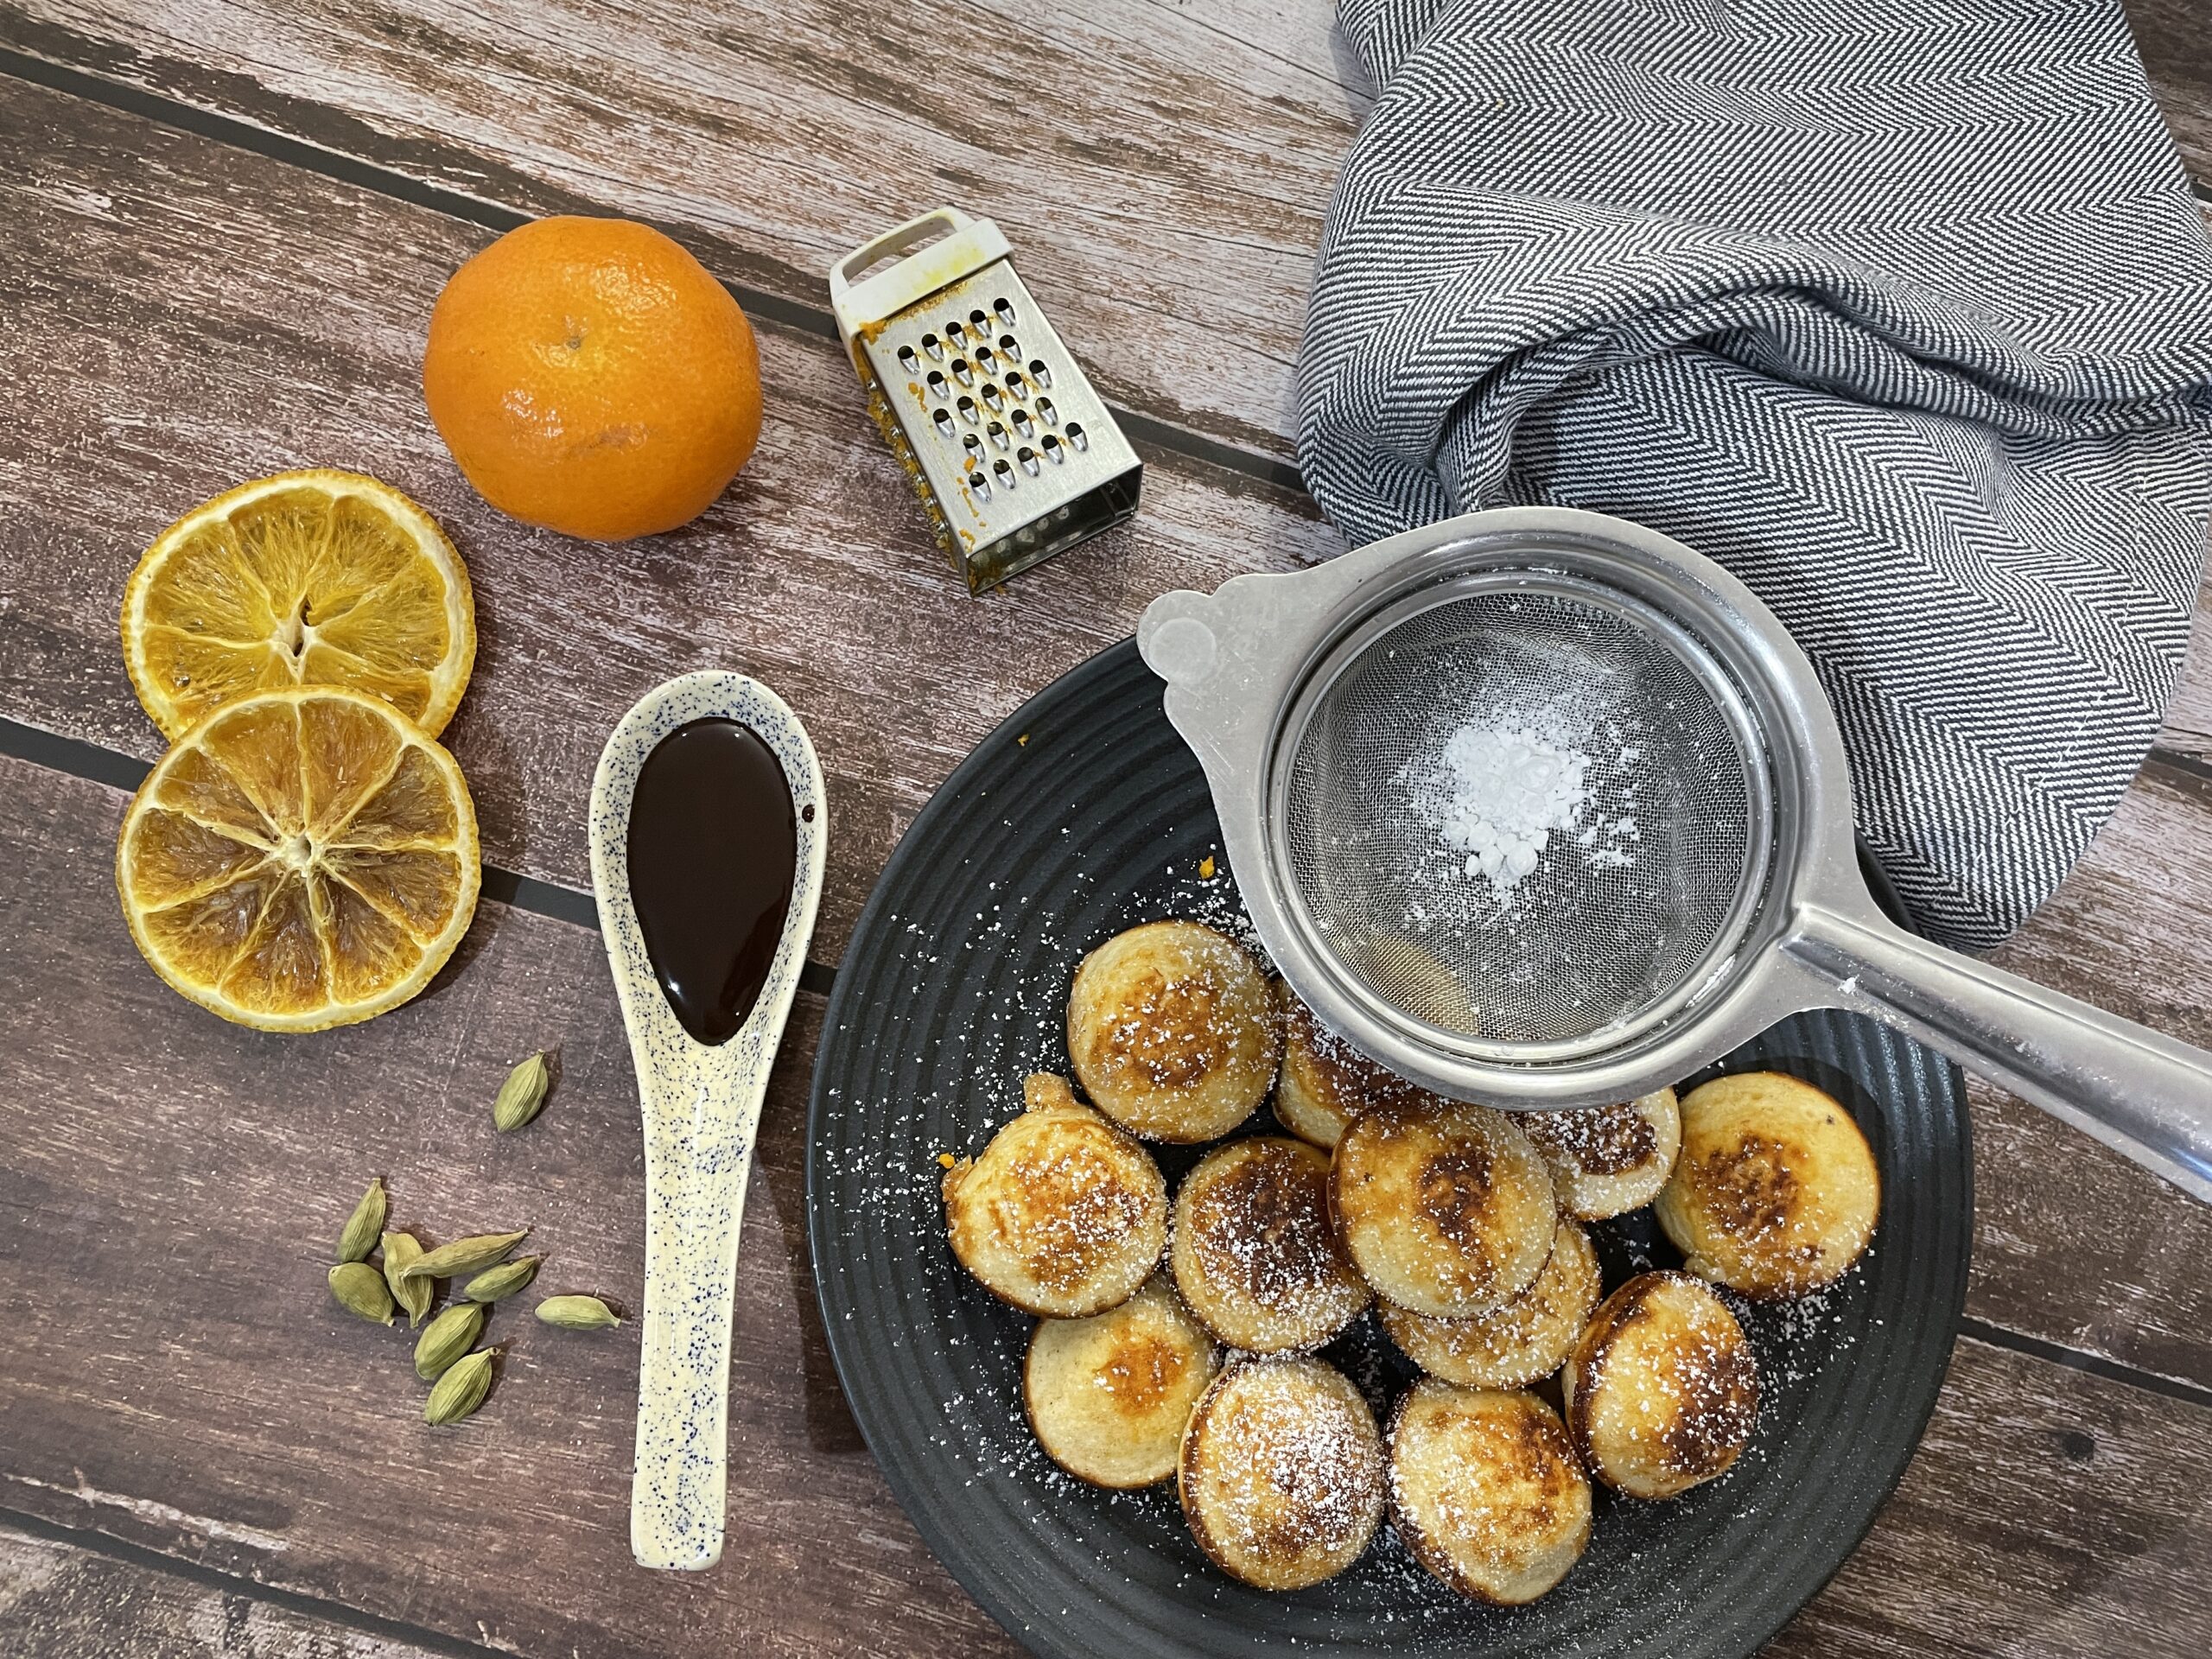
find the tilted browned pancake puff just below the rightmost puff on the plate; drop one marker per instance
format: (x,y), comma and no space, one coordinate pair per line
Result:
(1662,1390)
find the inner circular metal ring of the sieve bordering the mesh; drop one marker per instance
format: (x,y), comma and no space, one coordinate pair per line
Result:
(1525,572)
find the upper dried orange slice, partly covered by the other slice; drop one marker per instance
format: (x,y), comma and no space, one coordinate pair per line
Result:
(313,578)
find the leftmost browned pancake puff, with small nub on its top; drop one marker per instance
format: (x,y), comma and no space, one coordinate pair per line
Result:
(1063,1215)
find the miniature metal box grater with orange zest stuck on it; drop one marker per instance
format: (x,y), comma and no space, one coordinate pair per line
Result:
(1003,437)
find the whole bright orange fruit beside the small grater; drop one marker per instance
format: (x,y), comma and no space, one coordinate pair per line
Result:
(594,379)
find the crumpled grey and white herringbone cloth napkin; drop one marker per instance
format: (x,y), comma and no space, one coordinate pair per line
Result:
(1897,309)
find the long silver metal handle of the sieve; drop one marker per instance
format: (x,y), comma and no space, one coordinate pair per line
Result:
(2145,1096)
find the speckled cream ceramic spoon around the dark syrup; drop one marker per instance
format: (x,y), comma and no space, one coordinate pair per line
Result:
(702,1105)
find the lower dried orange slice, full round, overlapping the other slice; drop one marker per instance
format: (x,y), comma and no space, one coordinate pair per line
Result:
(302,859)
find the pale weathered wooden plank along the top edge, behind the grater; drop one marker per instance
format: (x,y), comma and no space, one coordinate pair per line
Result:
(1200,145)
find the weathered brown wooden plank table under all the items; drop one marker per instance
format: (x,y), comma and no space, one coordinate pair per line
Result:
(225,227)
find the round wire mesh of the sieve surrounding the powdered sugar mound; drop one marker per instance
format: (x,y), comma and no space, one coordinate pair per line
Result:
(1631,897)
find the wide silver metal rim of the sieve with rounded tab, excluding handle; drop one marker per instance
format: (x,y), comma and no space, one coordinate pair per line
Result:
(1240,665)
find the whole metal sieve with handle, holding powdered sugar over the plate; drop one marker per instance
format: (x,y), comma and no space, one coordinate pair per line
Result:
(1698,875)
